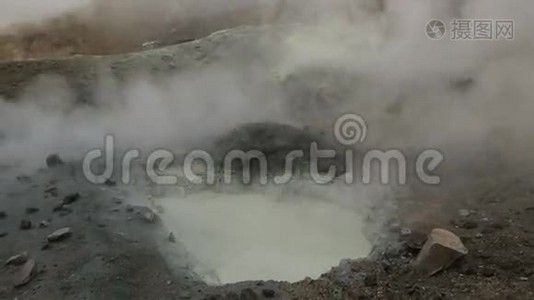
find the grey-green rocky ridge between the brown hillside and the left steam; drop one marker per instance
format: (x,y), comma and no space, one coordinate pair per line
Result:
(83,74)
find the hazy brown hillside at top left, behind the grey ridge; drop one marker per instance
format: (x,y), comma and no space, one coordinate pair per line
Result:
(103,27)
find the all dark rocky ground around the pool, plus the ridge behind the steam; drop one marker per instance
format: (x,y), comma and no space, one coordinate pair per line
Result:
(111,251)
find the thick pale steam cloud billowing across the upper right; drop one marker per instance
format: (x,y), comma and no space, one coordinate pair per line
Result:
(393,62)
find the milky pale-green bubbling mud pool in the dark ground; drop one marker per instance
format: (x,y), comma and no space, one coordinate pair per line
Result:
(264,236)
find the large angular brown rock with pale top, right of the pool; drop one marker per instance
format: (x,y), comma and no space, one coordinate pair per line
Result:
(441,250)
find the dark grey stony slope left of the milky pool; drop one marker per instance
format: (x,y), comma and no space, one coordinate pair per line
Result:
(109,255)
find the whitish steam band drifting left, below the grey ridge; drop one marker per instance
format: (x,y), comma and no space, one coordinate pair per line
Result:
(177,113)
